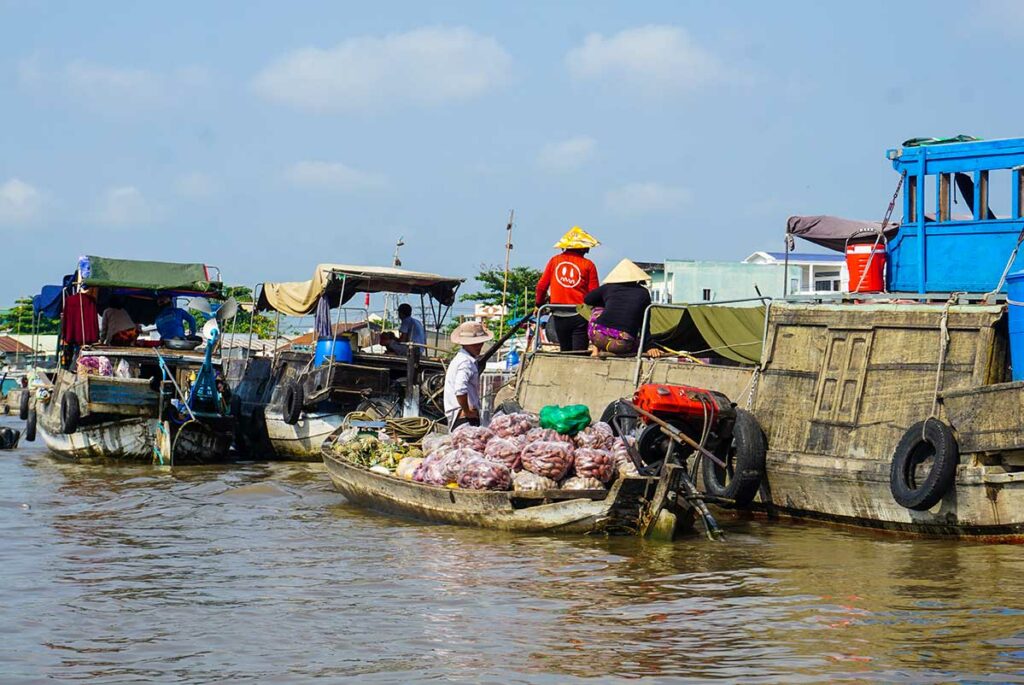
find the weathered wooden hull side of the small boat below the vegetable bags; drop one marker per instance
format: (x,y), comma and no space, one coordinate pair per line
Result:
(616,512)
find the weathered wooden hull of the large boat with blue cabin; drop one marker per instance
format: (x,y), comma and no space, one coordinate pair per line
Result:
(837,388)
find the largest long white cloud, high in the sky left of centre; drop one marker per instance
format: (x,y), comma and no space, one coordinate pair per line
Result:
(429,66)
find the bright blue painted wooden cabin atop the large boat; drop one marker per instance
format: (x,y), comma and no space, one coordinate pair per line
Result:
(932,256)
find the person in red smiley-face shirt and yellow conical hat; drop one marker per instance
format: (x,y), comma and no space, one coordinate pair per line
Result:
(568,278)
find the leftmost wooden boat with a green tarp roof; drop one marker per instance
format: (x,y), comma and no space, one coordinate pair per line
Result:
(149,404)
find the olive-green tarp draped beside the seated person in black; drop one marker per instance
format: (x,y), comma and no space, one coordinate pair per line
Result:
(735,333)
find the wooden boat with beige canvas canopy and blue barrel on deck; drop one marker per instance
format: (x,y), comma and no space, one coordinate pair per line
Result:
(290,405)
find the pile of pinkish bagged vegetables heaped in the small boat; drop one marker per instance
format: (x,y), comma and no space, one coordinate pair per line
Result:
(514,453)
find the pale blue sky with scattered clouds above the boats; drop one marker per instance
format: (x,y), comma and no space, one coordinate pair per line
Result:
(266,138)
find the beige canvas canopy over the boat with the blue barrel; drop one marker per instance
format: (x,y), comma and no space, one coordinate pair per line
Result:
(338,283)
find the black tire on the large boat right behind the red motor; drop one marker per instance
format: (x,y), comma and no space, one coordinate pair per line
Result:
(745,456)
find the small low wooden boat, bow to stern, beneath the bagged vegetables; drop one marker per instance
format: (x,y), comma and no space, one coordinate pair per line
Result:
(631,506)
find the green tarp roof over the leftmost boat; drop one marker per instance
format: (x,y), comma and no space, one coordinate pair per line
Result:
(107,273)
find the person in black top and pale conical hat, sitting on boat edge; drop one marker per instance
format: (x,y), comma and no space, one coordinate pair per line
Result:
(619,307)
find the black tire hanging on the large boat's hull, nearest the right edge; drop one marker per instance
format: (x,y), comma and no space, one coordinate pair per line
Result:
(925,440)
